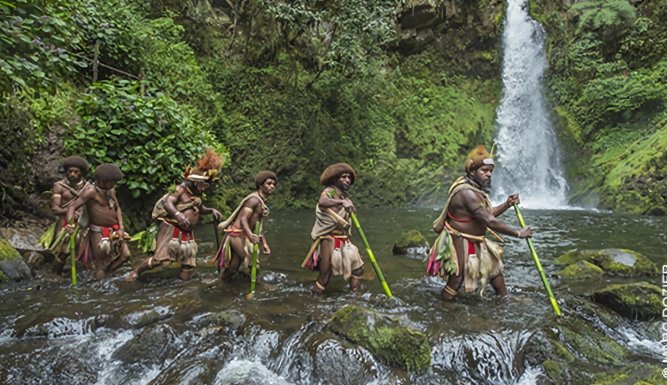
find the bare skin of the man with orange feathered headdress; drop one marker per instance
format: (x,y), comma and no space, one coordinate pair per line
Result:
(186,220)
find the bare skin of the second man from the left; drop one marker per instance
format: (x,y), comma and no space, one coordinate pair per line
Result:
(100,214)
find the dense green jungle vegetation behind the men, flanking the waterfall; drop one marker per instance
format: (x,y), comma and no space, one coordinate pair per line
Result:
(399,89)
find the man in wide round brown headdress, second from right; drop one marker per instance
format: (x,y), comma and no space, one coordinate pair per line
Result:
(332,253)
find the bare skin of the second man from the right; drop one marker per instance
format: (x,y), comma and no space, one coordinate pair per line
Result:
(336,203)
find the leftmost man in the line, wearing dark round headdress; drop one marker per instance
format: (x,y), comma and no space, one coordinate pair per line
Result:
(65,191)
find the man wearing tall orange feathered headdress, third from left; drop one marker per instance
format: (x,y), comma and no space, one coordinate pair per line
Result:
(177,213)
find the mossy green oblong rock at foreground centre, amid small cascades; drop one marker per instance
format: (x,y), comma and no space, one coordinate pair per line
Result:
(390,342)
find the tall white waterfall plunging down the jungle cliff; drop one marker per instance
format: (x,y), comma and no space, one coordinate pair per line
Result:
(526,146)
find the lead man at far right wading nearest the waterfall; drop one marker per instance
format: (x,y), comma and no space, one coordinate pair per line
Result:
(461,253)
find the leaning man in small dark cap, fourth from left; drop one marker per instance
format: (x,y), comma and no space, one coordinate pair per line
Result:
(239,228)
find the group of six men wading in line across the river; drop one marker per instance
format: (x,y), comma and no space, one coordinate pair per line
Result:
(461,253)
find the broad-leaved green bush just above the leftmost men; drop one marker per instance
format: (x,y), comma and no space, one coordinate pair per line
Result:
(152,137)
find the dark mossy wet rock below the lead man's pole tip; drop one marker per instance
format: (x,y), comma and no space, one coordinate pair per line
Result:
(570,349)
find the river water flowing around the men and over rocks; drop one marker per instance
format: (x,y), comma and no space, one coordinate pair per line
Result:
(164,331)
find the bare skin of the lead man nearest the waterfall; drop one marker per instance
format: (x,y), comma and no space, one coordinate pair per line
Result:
(470,204)
